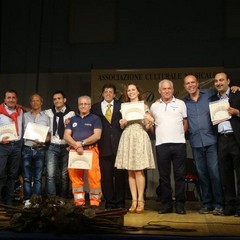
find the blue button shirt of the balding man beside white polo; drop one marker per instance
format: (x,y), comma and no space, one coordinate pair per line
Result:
(202,132)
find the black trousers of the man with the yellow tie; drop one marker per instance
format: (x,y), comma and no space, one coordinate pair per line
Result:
(113,182)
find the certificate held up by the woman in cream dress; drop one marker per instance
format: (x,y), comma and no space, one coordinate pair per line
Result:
(133,110)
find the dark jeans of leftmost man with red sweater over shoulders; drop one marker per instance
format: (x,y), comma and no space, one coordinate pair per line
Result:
(10,155)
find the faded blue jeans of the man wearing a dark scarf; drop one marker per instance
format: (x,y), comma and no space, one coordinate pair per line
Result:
(57,168)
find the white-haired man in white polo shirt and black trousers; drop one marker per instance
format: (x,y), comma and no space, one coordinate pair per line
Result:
(170,117)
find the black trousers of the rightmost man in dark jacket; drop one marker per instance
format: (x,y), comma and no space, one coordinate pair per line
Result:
(229,161)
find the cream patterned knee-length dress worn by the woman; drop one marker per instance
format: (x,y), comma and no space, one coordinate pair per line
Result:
(135,149)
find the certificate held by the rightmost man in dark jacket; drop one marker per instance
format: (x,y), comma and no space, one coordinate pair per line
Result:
(218,111)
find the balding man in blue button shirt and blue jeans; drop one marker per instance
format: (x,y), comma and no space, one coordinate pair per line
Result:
(203,140)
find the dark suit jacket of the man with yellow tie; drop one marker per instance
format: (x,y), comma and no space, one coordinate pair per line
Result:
(111,133)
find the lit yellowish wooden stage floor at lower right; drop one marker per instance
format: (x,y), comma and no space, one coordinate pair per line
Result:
(191,224)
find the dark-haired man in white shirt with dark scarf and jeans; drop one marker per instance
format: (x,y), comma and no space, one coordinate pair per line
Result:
(57,154)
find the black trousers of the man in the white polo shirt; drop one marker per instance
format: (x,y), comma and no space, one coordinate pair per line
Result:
(166,154)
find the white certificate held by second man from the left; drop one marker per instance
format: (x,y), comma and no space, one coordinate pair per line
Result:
(36,131)
